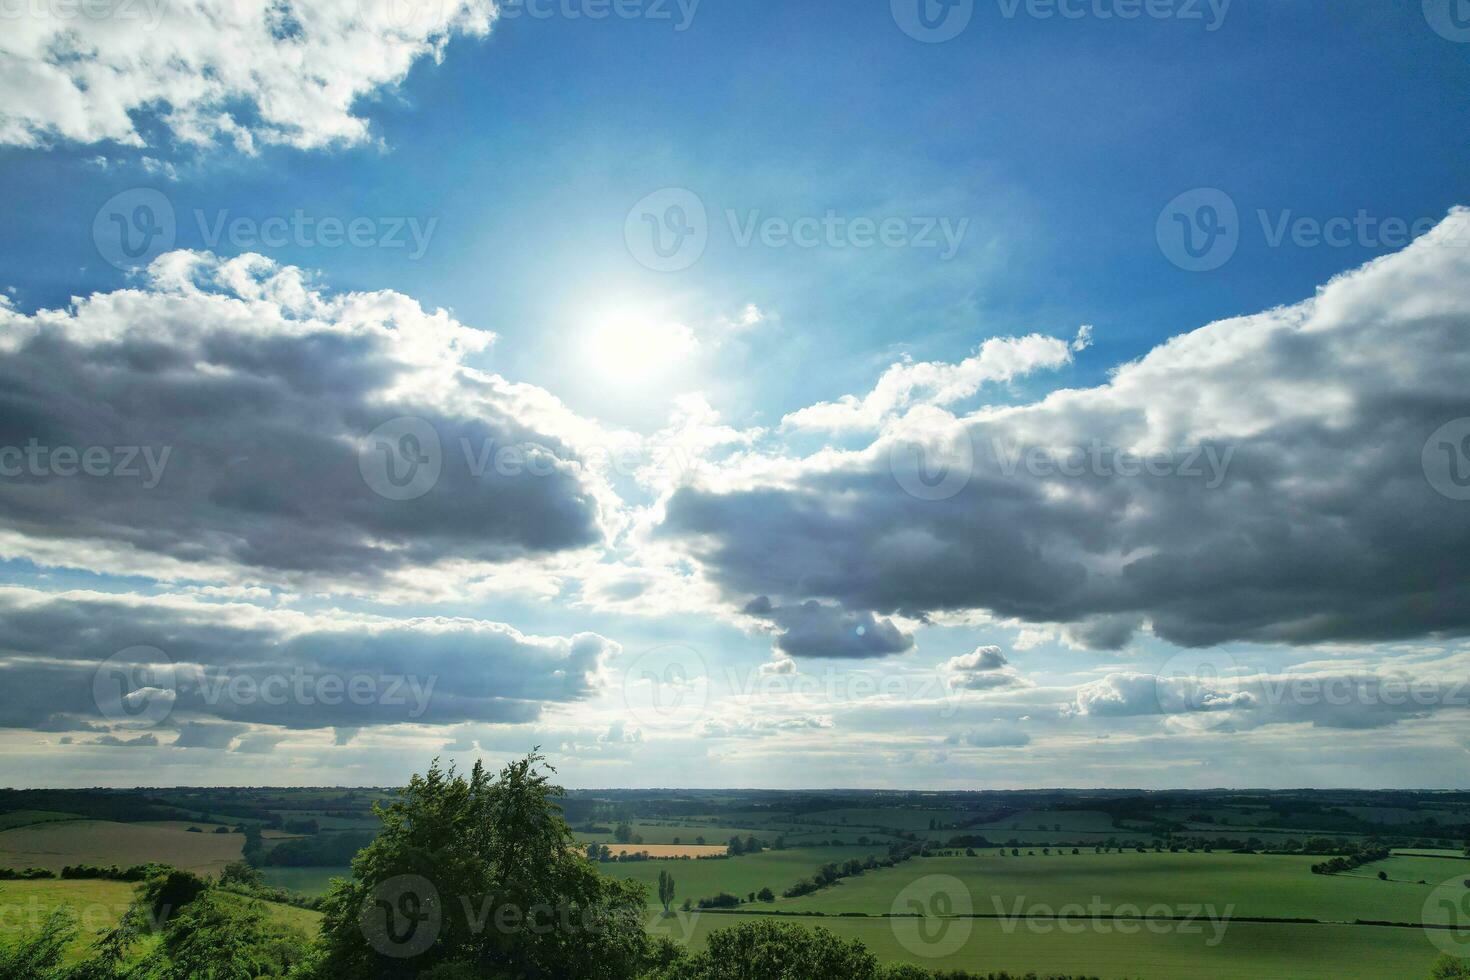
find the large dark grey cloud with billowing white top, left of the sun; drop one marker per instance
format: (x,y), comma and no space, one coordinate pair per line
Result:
(232,421)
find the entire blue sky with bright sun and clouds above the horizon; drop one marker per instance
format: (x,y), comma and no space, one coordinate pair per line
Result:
(950,394)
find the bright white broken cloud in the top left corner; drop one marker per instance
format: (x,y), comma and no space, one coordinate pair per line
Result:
(242,71)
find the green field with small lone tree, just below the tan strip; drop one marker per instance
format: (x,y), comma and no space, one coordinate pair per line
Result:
(739,876)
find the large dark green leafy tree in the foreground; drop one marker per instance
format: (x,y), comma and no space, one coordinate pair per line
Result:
(487,868)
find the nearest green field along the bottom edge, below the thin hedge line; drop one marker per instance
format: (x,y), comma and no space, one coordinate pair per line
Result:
(1249,951)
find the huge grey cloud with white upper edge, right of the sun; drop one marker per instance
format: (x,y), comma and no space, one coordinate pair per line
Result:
(1266,478)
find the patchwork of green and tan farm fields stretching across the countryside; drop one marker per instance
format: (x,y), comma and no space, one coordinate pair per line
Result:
(1034,907)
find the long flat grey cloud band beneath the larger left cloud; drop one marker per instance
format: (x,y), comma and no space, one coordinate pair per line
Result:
(89,662)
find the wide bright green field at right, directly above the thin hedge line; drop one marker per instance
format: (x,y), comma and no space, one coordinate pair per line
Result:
(1277,887)
